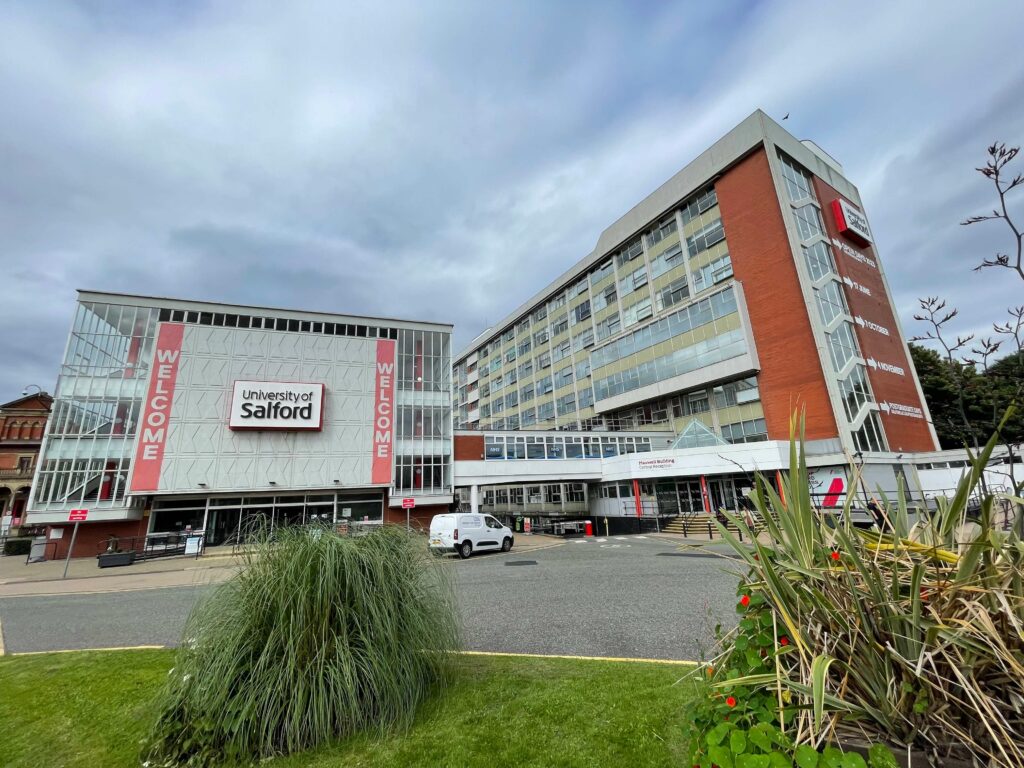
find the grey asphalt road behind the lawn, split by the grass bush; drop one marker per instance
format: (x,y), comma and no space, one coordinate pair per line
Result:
(627,598)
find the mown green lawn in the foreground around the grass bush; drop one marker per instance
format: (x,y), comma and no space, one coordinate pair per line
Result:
(92,710)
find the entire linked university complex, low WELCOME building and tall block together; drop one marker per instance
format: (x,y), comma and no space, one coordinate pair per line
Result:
(652,380)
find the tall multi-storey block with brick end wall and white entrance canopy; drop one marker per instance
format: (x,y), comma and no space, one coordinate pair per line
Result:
(746,287)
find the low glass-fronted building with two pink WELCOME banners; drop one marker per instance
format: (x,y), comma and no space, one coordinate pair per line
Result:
(174,416)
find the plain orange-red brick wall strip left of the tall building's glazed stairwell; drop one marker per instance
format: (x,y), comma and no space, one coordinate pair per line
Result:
(791,374)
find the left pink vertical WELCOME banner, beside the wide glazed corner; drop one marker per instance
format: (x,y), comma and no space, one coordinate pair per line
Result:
(157,409)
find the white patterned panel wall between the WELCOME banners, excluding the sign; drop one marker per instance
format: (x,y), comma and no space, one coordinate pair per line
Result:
(202,450)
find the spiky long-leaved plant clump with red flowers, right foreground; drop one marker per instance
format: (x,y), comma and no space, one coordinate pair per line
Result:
(913,636)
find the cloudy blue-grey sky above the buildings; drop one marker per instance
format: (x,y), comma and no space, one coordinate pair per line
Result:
(445,161)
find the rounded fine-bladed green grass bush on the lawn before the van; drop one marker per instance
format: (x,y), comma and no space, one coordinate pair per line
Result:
(318,637)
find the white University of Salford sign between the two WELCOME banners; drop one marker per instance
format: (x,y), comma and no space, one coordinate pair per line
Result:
(277,405)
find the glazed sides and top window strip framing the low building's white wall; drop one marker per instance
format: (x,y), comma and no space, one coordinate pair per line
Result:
(91,439)
